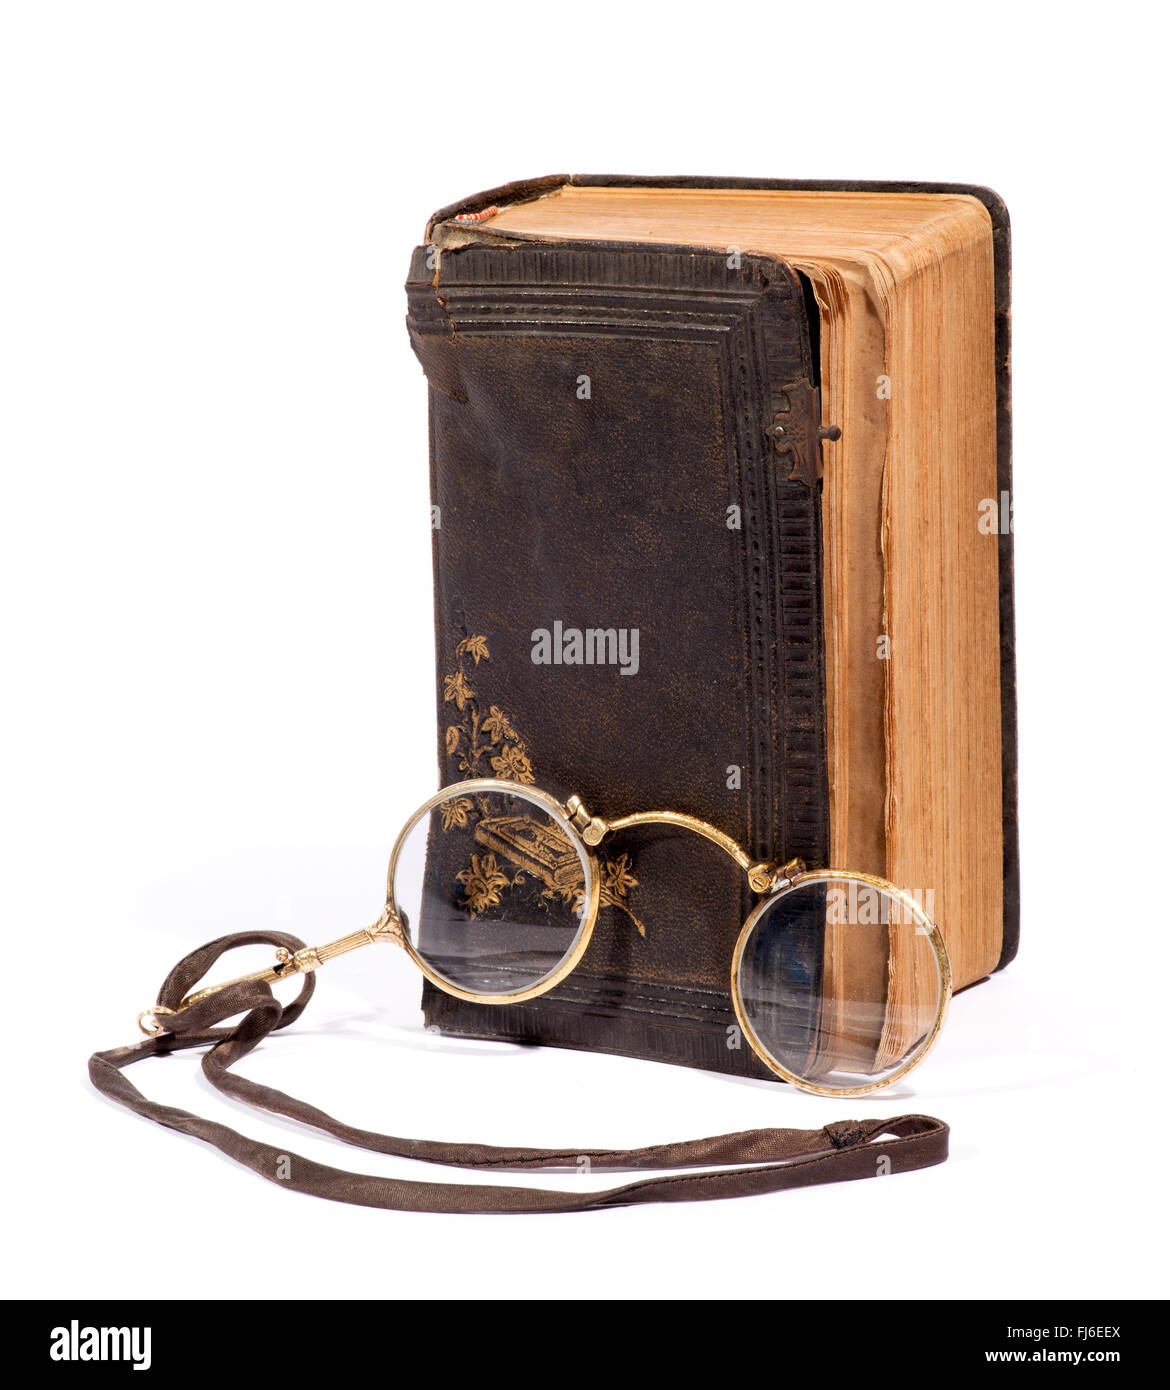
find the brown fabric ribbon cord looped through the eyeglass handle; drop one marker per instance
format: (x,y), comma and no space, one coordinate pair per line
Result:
(779,1159)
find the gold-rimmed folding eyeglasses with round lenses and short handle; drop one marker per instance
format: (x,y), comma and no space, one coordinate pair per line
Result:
(840,981)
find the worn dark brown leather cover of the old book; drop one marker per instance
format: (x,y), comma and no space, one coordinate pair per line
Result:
(604,458)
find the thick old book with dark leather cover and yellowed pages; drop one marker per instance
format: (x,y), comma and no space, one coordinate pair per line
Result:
(661,582)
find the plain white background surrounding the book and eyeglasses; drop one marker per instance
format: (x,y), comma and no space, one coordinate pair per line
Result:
(217,626)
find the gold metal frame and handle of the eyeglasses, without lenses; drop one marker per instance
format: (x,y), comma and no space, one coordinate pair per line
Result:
(586,833)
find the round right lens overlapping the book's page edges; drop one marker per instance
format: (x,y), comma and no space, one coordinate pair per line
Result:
(839,982)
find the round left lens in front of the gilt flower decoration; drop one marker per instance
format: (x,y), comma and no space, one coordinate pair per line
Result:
(493,889)
